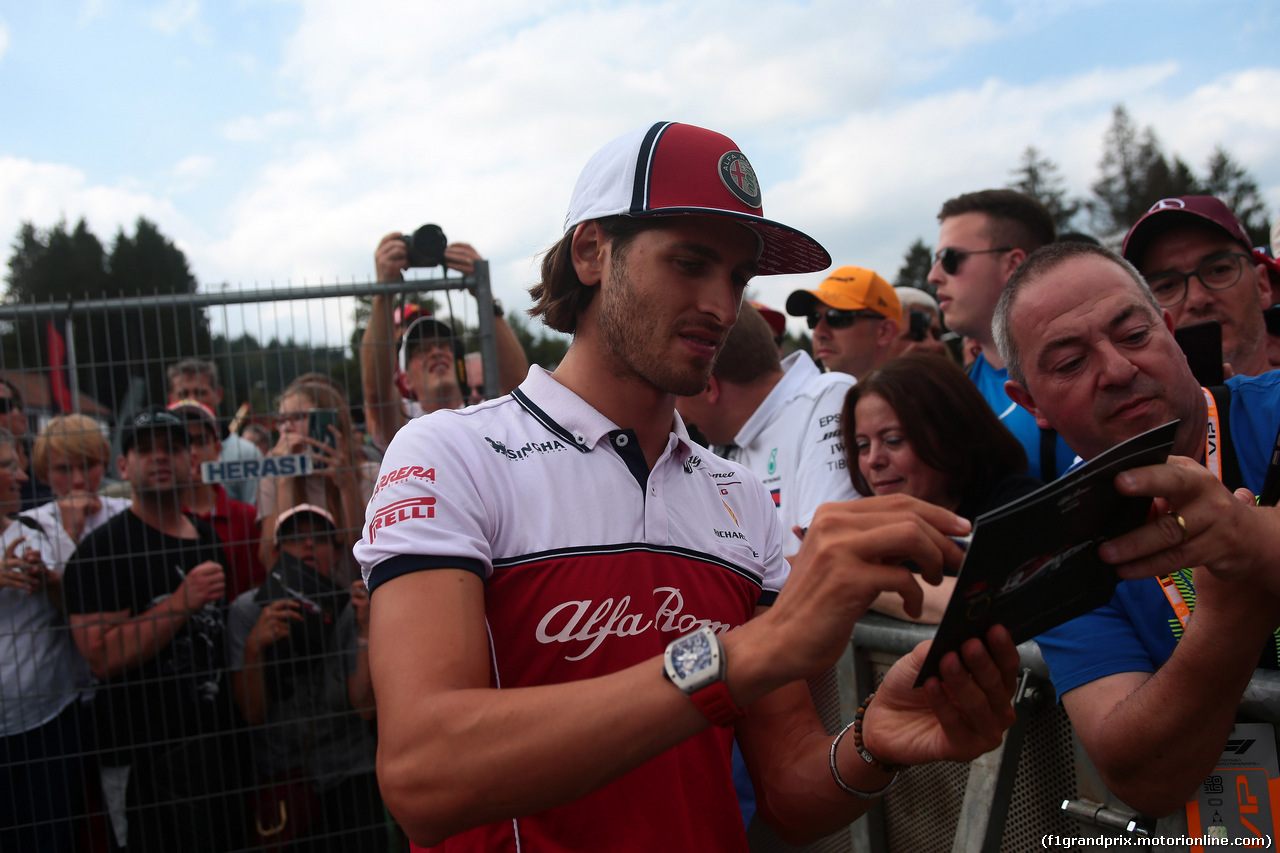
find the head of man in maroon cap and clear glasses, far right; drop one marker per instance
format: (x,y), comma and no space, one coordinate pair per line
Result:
(1199,261)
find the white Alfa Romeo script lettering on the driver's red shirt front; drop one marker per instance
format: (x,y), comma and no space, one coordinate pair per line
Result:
(586,622)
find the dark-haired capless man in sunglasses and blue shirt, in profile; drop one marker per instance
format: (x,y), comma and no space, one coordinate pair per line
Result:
(984,239)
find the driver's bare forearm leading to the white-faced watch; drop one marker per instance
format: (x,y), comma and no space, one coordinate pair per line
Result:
(463,759)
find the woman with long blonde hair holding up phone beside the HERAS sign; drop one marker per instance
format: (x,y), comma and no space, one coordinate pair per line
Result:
(342,481)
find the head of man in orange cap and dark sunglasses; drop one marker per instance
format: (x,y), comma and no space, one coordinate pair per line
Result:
(856,318)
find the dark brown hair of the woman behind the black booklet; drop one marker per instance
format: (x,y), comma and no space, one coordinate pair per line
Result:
(949,425)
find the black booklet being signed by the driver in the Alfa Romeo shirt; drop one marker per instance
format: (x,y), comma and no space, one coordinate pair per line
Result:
(1034,564)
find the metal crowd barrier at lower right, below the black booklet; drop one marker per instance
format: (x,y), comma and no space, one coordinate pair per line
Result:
(1039,784)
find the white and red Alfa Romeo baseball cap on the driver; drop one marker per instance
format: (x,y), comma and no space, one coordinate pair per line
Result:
(671,170)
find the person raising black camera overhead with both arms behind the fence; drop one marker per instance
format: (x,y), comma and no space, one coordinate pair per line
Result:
(432,354)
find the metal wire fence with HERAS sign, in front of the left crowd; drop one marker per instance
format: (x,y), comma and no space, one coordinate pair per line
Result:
(184,651)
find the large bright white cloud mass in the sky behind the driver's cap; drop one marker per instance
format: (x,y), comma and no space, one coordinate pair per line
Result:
(479,117)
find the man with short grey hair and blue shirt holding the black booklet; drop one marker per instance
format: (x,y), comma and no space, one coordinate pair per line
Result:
(1151,681)
